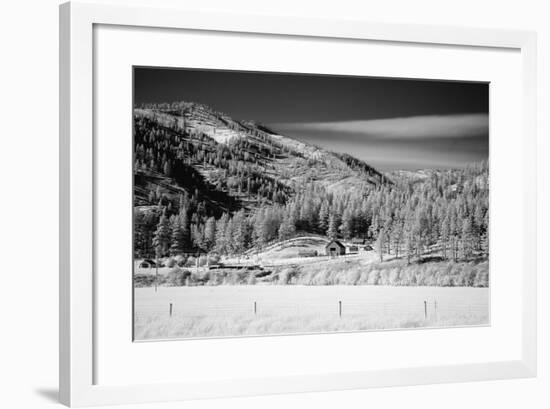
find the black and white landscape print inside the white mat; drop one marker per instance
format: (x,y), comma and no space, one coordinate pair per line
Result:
(272,203)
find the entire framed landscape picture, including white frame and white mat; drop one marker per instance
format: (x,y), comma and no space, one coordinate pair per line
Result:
(257,204)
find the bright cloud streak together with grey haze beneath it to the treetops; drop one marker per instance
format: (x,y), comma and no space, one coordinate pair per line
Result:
(418,142)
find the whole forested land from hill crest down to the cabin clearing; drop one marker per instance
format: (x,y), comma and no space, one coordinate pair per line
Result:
(194,194)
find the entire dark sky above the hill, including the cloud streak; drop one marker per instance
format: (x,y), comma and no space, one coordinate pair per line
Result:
(389,123)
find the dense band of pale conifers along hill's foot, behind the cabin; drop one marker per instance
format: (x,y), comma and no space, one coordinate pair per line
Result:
(406,218)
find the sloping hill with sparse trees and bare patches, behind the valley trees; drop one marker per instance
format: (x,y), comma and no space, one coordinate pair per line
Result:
(225,164)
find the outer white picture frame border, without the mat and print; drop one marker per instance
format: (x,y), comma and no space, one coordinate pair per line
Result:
(78,386)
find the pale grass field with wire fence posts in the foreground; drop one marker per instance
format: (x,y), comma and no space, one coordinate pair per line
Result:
(218,311)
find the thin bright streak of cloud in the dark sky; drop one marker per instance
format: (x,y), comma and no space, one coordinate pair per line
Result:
(428,126)
